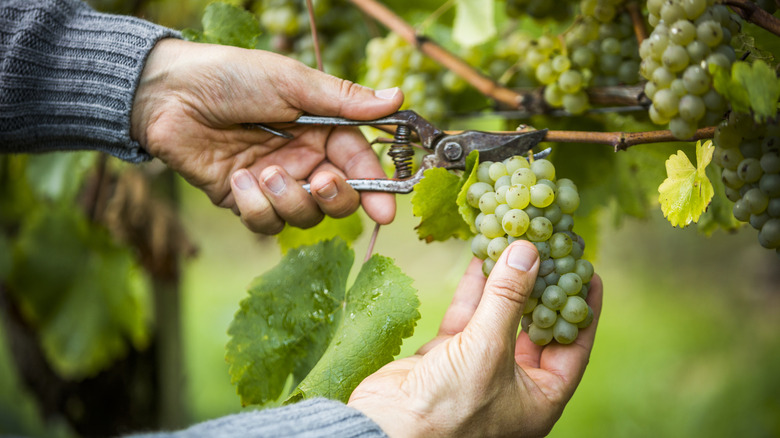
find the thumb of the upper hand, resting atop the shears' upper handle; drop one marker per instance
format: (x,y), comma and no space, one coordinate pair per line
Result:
(327,95)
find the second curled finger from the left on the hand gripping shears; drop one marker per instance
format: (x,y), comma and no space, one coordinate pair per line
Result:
(290,201)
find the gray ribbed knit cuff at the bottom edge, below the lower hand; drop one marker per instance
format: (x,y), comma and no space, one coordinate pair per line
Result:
(315,418)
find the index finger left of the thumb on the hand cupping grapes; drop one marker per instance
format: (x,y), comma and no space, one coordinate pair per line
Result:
(462,307)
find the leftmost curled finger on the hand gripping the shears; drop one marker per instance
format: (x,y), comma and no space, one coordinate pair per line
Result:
(255,209)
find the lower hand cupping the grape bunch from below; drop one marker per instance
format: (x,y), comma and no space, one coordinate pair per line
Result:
(478,377)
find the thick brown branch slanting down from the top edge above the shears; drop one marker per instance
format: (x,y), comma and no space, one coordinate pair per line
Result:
(484,84)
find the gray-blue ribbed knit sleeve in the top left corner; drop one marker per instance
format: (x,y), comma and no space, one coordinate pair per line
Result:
(68,75)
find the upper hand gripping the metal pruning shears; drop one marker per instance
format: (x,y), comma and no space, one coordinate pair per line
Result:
(189,111)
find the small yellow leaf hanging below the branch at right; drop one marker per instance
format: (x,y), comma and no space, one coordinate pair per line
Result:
(686,192)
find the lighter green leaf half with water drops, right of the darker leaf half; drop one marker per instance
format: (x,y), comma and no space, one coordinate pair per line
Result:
(382,307)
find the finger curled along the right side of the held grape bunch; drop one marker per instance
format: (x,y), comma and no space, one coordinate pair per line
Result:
(569,361)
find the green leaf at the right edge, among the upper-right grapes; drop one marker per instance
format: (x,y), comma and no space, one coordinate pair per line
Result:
(747,88)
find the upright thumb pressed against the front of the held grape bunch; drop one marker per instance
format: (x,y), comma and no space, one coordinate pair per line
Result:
(506,291)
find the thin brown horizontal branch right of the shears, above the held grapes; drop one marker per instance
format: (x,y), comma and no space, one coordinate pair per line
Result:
(623,140)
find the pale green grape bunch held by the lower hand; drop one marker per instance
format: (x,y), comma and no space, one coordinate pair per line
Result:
(518,200)
